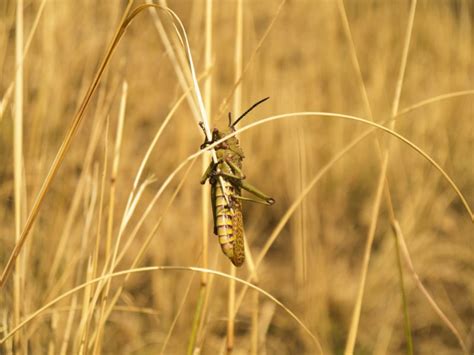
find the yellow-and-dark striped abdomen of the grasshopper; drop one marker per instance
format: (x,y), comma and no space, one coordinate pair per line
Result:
(229,224)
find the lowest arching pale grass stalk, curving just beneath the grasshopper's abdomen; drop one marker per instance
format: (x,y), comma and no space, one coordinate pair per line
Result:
(158,268)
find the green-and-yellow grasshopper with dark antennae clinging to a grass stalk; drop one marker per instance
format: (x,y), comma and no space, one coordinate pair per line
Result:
(226,193)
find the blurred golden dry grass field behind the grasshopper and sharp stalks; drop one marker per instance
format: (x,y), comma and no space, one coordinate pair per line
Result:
(314,266)
